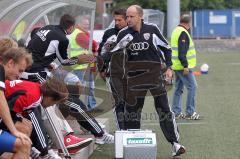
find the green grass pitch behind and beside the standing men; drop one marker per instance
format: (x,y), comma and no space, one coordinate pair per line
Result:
(217,135)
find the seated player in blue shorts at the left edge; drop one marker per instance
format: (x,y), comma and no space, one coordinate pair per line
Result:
(13,62)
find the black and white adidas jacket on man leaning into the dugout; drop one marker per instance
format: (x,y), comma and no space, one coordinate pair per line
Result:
(49,43)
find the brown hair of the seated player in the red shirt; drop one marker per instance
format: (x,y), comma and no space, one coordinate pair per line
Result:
(55,89)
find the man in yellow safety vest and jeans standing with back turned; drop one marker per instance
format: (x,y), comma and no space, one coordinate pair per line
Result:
(184,60)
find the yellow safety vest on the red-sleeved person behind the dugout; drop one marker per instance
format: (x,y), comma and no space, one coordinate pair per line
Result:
(76,50)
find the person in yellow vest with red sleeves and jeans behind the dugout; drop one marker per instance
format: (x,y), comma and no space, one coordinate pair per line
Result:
(79,44)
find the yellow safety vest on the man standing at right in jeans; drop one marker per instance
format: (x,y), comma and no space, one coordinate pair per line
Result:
(191,53)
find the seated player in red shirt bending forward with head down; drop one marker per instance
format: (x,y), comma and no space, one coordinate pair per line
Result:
(29,96)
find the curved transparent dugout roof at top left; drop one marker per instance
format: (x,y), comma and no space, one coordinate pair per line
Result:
(19,17)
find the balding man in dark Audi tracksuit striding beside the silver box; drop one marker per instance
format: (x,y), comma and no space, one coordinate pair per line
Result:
(147,50)
